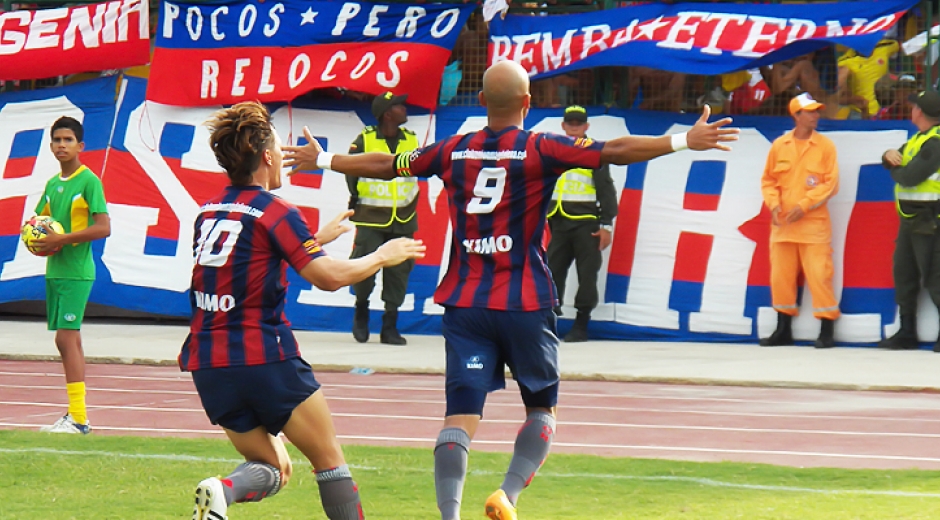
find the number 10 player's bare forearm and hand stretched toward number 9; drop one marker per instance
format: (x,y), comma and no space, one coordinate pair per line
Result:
(329,273)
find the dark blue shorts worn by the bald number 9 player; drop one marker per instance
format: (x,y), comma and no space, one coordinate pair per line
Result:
(481,343)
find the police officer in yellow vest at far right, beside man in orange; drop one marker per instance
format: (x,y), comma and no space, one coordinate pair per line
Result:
(915,169)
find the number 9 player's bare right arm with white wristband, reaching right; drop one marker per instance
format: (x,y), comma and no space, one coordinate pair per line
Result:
(703,136)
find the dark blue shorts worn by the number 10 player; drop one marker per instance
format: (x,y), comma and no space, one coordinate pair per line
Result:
(242,398)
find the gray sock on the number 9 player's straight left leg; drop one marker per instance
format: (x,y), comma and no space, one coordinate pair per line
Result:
(450,470)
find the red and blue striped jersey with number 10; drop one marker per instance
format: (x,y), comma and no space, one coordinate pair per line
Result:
(244,239)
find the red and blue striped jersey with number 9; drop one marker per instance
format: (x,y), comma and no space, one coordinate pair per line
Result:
(499,186)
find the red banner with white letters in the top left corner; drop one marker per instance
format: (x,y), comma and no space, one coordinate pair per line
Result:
(68,40)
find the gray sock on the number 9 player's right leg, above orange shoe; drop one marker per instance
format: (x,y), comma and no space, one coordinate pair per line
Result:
(532,446)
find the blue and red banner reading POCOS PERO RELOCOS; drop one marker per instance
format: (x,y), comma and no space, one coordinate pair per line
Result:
(234,51)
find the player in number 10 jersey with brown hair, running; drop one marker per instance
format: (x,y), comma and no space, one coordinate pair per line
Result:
(245,361)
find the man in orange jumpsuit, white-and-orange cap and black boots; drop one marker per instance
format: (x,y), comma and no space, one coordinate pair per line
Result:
(800,176)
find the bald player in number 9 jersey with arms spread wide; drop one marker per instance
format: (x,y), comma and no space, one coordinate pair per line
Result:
(498,292)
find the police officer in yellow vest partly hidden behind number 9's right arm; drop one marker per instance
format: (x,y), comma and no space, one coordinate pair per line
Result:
(581,216)
